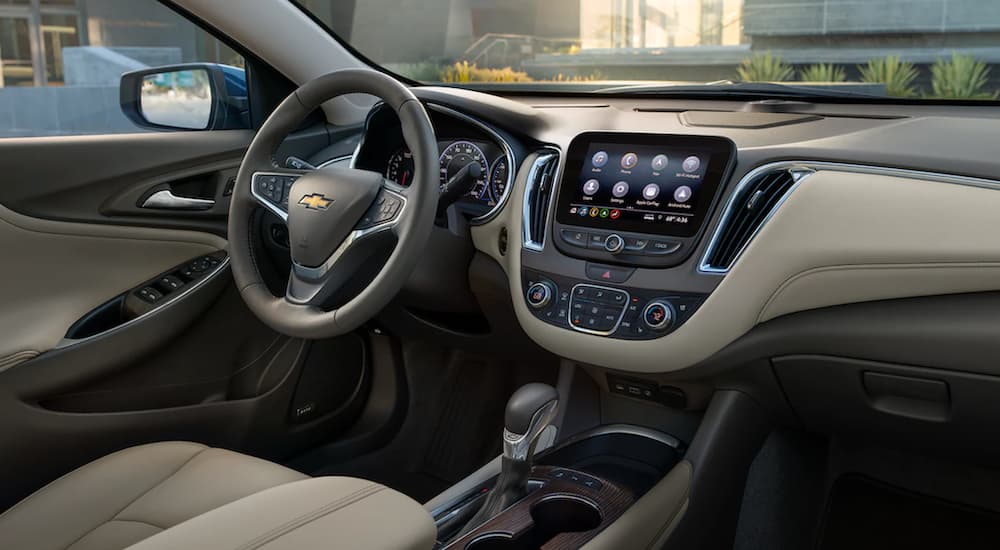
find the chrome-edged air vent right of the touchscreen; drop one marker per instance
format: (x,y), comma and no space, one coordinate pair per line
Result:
(747,211)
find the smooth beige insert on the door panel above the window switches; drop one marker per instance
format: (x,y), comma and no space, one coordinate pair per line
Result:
(55,272)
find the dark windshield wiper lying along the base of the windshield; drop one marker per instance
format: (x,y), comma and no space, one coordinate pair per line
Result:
(726,88)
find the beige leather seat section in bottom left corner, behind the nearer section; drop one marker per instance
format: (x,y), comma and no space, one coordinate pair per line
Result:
(134,494)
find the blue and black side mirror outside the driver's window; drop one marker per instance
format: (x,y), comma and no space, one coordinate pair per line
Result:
(194,96)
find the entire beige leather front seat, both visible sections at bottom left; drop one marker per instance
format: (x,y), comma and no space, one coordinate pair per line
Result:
(186,495)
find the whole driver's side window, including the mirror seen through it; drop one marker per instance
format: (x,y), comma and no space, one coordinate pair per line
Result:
(62,61)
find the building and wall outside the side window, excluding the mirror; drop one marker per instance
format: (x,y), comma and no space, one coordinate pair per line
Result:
(61,61)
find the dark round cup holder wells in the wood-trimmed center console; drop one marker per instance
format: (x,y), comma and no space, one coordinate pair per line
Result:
(550,516)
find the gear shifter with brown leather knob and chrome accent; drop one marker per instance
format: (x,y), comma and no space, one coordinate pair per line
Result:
(529,411)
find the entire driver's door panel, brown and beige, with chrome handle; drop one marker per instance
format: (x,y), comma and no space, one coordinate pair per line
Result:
(75,238)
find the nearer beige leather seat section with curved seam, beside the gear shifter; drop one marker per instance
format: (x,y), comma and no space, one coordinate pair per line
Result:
(331,513)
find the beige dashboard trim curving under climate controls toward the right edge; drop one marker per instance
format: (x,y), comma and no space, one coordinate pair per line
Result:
(843,236)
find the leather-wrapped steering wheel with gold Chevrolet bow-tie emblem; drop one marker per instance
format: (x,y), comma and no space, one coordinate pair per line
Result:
(411,226)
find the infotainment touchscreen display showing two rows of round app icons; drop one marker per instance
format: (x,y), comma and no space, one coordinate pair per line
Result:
(644,183)
